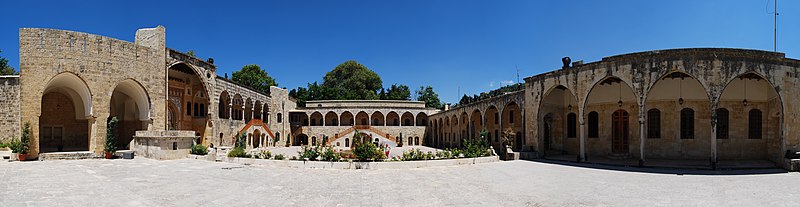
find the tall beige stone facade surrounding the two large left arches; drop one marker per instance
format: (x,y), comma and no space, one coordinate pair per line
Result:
(94,65)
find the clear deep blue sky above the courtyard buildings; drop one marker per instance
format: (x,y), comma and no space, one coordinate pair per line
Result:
(471,45)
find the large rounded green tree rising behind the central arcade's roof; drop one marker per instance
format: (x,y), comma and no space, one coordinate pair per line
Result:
(352,81)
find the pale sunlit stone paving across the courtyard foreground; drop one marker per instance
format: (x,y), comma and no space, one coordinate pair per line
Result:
(144,182)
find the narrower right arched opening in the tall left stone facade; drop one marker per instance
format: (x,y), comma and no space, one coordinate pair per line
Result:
(131,105)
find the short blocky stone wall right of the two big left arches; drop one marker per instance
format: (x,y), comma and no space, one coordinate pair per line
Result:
(164,145)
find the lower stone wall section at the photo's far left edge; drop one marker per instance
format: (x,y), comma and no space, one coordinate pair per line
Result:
(9,108)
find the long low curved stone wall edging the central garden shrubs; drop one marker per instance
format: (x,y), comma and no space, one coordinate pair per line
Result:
(357,165)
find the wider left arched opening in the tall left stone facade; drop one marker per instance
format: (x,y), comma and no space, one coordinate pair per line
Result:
(63,124)
